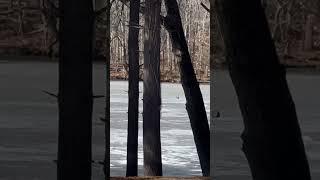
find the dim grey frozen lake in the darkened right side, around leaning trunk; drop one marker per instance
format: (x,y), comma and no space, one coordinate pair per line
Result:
(229,160)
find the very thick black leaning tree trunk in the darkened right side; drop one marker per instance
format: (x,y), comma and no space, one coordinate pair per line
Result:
(272,139)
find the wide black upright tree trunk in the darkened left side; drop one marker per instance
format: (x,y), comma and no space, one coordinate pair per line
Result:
(75,89)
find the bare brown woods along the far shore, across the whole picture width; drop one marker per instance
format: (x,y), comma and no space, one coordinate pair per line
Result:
(29,28)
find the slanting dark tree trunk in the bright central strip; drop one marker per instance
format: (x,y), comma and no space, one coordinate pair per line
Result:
(195,106)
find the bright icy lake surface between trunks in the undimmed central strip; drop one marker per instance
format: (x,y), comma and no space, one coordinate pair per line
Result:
(179,155)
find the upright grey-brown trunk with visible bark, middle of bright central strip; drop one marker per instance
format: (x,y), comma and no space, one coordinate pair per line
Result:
(151,93)
